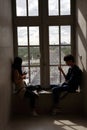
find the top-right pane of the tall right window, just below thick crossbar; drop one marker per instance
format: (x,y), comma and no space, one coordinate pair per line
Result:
(65,35)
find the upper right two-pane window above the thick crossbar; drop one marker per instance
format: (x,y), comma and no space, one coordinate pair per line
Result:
(59,7)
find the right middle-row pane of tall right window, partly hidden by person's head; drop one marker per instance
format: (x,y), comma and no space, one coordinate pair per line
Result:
(65,50)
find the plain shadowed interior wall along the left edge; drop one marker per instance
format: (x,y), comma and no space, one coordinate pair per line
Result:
(6,55)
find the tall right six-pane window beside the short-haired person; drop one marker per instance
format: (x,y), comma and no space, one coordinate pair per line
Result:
(59,46)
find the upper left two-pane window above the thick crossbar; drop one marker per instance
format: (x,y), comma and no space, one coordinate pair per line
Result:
(27,8)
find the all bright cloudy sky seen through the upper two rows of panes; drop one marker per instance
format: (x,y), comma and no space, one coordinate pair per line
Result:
(53,31)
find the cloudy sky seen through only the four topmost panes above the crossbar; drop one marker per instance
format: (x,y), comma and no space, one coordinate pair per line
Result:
(52,5)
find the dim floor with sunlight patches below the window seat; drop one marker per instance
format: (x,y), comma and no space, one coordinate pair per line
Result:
(48,122)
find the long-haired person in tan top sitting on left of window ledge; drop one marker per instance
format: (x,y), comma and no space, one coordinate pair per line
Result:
(21,88)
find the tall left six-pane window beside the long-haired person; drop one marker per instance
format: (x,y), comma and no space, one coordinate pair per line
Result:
(29,51)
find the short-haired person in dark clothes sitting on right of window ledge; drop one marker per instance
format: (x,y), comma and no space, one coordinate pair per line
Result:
(72,80)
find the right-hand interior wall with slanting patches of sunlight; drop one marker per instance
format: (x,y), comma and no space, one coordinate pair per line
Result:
(81,42)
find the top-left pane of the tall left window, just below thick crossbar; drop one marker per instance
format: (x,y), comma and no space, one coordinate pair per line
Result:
(22,35)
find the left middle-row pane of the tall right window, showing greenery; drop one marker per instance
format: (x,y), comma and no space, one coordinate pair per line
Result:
(54,55)
